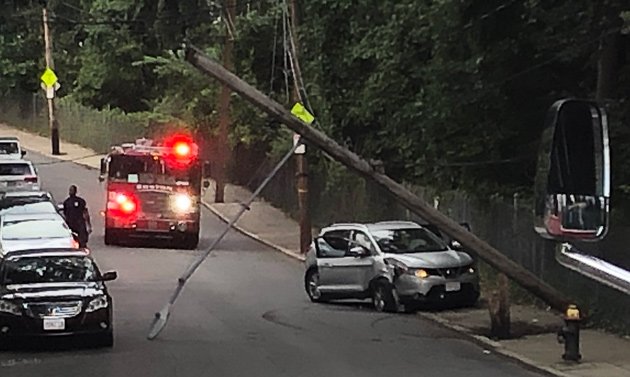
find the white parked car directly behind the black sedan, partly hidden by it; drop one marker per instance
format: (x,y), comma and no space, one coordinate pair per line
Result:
(35,230)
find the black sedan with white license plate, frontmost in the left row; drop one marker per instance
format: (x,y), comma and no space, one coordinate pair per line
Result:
(54,292)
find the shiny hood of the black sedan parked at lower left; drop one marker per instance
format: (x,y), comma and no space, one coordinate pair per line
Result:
(51,290)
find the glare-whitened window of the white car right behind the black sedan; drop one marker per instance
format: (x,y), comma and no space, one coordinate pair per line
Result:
(34,229)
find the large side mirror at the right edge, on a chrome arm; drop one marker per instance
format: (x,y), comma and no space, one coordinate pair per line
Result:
(572,185)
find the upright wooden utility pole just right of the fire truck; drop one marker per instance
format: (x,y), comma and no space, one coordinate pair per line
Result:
(224,104)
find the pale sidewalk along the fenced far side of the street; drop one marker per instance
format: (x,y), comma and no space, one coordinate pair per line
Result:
(535,345)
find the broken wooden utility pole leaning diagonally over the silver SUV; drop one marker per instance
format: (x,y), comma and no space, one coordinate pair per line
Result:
(489,254)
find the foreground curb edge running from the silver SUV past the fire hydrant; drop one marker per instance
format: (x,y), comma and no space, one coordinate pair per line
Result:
(496,347)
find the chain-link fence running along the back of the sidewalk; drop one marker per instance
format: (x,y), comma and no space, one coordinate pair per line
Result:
(337,195)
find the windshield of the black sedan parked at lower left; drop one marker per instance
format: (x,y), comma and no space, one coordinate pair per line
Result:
(48,269)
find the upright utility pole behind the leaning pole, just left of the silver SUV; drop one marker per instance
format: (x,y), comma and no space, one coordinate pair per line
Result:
(300,156)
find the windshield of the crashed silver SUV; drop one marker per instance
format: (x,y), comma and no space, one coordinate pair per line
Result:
(412,240)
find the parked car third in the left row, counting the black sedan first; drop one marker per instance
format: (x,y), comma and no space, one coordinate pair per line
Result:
(22,202)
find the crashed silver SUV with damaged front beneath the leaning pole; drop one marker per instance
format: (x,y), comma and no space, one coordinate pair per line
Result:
(398,264)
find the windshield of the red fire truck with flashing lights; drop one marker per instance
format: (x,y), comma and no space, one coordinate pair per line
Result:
(151,170)
